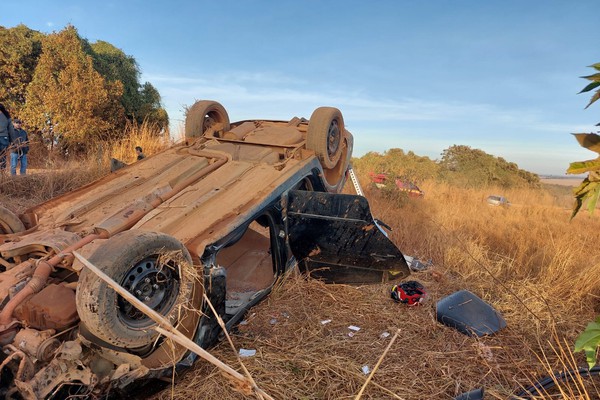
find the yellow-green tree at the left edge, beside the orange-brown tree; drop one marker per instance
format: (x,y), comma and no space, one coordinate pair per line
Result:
(20,48)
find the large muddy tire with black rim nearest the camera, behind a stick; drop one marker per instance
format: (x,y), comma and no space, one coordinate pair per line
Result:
(150,266)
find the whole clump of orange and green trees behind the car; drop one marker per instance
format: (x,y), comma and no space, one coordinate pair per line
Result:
(71,93)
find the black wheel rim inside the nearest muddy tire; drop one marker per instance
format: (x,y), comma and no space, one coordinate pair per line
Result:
(155,285)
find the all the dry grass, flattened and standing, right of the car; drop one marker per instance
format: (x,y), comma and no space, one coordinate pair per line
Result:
(538,269)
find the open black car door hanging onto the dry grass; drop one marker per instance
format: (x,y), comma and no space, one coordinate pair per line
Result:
(335,238)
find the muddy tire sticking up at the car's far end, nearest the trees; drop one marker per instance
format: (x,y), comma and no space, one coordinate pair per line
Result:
(203,117)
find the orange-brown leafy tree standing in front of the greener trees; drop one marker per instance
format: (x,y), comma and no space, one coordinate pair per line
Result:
(68,99)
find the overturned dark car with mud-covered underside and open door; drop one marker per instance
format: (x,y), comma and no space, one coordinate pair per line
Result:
(215,220)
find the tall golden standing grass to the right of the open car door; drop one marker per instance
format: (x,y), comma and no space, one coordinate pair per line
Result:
(538,267)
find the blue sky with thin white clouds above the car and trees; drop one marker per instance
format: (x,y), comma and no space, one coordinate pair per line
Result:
(501,76)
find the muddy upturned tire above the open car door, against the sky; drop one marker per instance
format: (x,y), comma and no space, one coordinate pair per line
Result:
(325,135)
